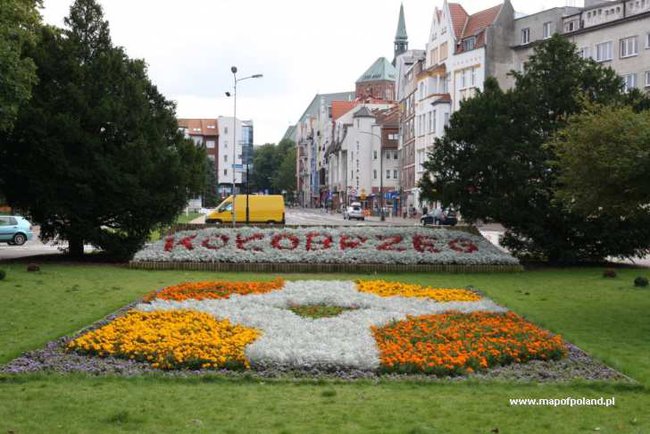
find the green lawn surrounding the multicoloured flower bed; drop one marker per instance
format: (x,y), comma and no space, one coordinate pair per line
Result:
(606,317)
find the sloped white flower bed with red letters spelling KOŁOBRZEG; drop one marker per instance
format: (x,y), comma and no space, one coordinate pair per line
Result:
(345,245)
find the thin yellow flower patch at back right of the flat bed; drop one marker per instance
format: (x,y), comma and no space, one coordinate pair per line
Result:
(393,289)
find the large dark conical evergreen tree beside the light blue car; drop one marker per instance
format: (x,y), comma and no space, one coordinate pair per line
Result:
(96,156)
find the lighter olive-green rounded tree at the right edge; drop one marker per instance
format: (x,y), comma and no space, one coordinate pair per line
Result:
(604,162)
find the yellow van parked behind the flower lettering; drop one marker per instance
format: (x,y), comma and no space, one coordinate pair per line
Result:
(261,209)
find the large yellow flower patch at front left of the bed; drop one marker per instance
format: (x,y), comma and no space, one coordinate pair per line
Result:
(170,340)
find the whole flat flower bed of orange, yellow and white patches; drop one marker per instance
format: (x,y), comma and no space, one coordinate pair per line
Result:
(326,326)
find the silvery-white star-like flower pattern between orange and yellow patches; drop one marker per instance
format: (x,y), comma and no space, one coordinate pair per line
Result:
(342,342)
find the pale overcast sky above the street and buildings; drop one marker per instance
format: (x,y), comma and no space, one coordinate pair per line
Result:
(302,48)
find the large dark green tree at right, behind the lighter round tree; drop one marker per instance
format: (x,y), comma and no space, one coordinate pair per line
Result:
(493,162)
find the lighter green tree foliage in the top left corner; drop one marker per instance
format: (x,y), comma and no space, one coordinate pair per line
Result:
(19,21)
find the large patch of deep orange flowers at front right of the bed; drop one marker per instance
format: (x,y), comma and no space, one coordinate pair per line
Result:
(456,343)
